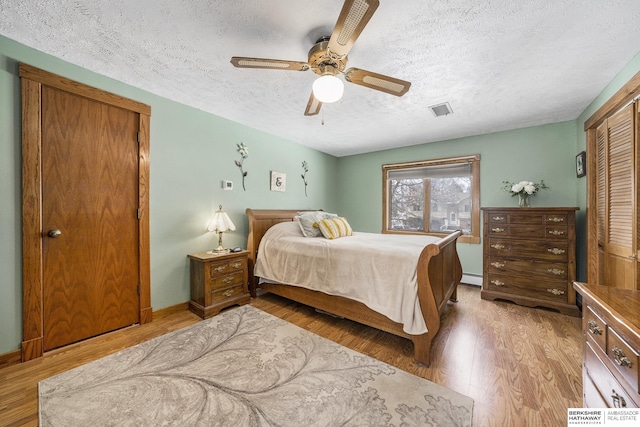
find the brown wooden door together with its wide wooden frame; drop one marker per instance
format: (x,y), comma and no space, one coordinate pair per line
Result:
(85,173)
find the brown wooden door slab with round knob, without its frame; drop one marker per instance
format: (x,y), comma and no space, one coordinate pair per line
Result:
(89,197)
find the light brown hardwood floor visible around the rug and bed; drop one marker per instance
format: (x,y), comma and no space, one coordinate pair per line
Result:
(522,366)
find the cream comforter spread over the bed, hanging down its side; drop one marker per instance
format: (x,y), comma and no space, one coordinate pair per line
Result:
(378,270)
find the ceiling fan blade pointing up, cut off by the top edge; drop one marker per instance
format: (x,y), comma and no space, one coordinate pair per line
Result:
(353,18)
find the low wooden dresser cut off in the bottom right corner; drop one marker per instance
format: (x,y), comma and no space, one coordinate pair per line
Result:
(611,329)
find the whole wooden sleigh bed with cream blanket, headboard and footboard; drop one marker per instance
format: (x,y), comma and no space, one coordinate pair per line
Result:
(396,299)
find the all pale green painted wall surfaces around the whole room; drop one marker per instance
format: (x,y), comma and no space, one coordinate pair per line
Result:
(193,151)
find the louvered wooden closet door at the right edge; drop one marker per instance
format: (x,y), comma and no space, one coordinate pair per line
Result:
(619,203)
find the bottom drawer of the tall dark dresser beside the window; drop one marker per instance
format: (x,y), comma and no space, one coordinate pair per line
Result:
(527,287)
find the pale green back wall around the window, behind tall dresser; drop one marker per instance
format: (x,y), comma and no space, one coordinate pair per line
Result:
(543,152)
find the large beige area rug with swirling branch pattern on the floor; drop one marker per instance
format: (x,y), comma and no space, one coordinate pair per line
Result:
(245,367)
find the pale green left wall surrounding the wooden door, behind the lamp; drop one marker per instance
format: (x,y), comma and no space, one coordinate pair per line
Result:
(191,153)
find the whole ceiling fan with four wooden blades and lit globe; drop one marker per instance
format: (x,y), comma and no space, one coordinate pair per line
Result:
(328,58)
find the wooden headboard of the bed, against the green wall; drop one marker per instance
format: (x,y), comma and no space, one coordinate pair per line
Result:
(260,220)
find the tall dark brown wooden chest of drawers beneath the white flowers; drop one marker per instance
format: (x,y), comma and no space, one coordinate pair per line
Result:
(529,257)
